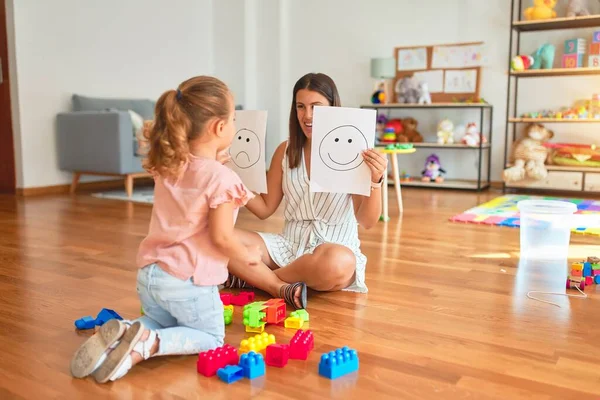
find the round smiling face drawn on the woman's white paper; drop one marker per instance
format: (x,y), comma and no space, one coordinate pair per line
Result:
(341,149)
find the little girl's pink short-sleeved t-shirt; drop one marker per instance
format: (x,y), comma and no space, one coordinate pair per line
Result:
(178,239)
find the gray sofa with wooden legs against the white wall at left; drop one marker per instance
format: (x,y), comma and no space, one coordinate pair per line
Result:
(97,138)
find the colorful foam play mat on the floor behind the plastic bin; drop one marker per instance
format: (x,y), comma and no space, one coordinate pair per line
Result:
(503,211)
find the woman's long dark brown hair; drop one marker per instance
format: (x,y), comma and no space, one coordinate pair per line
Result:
(321,84)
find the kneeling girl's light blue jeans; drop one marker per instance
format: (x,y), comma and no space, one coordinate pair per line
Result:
(187,318)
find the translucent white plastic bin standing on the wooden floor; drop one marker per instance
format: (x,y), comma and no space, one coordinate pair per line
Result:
(546,229)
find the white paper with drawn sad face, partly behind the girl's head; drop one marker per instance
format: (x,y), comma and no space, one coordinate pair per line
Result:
(247,149)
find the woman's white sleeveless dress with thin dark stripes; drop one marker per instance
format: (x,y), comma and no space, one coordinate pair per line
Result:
(312,219)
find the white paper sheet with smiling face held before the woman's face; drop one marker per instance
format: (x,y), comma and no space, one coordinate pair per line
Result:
(339,137)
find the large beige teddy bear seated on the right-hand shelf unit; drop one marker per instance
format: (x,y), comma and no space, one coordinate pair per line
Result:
(529,155)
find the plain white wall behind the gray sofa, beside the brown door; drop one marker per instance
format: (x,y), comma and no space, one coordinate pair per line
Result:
(134,48)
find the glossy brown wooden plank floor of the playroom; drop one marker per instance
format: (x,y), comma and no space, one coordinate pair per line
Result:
(446,316)
